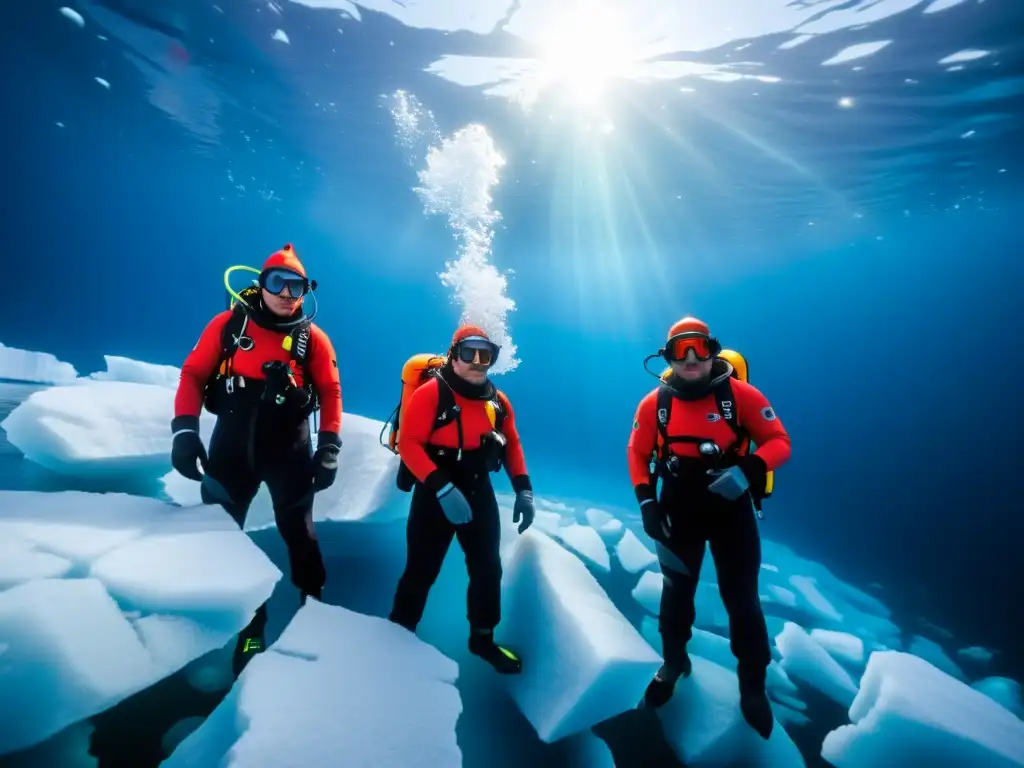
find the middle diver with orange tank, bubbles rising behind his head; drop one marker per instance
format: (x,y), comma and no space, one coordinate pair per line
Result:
(455,430)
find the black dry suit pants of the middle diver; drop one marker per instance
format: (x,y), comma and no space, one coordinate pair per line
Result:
(430,535)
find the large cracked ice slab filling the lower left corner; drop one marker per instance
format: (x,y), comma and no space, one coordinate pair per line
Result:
(146,589)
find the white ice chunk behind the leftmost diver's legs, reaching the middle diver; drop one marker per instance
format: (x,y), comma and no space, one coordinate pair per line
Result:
(363,492)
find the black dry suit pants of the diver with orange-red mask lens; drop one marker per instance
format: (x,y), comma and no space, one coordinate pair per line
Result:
(730,529)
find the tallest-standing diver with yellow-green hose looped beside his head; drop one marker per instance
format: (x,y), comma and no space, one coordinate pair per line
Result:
(263,368)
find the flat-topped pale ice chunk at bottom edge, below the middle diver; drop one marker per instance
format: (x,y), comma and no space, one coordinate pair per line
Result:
(349,688)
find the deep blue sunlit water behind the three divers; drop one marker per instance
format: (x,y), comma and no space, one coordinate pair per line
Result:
(854,229)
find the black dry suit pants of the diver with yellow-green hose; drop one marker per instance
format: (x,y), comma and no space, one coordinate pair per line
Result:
(248,449)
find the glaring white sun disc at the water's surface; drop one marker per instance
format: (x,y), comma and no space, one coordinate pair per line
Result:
(583,51)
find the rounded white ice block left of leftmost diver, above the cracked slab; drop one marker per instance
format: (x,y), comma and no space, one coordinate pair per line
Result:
(98,429)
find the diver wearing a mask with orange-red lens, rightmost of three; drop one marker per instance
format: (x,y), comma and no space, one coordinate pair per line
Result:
(695,434)
